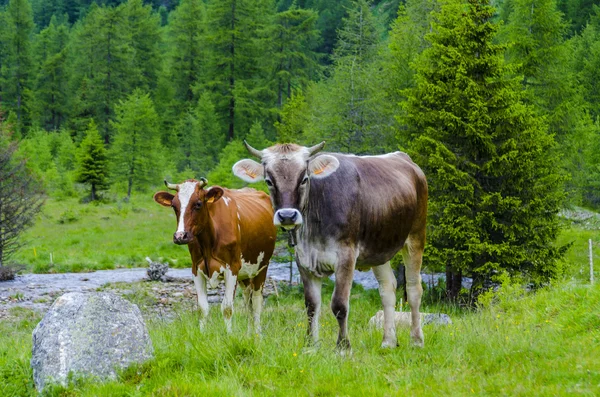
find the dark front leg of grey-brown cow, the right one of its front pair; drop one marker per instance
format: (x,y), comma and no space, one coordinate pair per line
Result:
(340,301)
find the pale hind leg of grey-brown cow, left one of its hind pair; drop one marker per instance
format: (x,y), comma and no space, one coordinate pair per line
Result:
(387,291)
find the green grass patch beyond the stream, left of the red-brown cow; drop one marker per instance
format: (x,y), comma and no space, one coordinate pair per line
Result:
(84,237)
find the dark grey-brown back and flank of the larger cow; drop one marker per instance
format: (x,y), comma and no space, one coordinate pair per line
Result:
(373,202)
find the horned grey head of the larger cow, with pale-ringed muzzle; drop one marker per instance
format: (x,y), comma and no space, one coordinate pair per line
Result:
(287,170)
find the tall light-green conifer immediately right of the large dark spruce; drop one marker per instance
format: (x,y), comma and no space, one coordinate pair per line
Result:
(537,32)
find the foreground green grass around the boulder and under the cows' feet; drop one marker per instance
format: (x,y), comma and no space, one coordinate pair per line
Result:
(522,344)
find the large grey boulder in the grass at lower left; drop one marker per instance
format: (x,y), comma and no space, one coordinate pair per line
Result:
(88,334)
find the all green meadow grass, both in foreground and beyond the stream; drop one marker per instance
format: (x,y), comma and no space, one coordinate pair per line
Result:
(517,343)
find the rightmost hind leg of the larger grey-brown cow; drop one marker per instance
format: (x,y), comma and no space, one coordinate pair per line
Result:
(412,253)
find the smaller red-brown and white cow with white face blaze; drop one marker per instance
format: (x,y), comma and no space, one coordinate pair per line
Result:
(230,235)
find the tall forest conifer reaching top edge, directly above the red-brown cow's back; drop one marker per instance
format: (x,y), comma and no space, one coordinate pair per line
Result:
(238,63)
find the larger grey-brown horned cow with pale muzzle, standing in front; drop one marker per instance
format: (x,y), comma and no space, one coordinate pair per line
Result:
(347,212)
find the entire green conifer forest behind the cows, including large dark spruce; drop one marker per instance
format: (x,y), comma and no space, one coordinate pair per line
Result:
(498,101)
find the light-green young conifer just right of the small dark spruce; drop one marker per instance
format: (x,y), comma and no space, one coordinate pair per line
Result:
(135,151)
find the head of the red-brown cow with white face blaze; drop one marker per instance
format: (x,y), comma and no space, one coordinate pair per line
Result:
(191,207)
